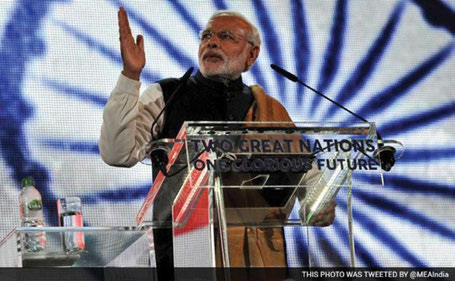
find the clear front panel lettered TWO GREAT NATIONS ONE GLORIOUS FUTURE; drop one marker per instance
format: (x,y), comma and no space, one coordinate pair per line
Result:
(255,150)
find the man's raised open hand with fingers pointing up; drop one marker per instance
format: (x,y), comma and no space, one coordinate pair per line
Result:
(133,55)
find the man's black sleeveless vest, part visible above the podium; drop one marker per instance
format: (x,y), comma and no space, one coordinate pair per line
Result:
(202,99)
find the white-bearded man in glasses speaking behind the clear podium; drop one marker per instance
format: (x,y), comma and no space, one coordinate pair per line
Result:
(229,45)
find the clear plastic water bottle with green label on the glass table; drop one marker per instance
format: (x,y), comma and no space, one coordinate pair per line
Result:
(31,214)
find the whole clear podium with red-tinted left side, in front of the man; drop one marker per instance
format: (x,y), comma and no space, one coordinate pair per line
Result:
(251,175)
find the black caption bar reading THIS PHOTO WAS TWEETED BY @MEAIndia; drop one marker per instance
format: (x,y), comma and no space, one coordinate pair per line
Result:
(220,274)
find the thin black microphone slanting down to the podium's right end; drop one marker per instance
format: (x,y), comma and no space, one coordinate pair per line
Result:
(385,153)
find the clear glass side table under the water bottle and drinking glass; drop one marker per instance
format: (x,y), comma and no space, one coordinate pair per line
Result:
(100,247)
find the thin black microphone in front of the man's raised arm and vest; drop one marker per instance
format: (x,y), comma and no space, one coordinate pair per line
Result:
(158,153)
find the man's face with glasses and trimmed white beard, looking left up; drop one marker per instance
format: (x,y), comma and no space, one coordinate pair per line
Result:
(226,59)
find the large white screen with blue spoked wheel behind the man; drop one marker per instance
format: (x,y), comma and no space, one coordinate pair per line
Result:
(391,62)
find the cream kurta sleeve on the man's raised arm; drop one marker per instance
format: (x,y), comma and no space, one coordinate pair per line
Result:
(127,120)
